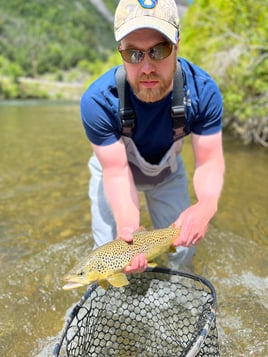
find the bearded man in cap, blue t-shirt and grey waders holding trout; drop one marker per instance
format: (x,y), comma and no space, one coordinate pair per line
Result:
(149,160)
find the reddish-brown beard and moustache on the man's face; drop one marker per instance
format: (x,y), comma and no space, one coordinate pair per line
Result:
(153,94)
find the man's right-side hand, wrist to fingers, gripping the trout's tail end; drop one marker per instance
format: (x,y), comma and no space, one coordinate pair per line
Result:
(194,223)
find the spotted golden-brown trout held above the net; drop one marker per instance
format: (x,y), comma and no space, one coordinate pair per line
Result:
(106,263)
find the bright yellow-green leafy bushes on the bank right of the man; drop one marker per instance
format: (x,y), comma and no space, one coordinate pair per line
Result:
(230,40)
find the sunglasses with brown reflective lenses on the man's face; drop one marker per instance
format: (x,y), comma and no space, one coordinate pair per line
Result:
(156,53)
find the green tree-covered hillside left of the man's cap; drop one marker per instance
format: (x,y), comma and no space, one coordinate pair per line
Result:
(45,35)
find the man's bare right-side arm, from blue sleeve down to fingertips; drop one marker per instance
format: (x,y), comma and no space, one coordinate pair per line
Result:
(207,182)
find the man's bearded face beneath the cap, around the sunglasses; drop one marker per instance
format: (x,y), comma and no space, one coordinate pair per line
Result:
(151,80)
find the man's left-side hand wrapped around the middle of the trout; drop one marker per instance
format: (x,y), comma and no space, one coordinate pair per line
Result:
(139,263)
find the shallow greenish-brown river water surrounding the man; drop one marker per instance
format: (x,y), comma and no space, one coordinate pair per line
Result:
(45,229)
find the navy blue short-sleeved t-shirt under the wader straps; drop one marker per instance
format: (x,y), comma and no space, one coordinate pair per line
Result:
(153,132)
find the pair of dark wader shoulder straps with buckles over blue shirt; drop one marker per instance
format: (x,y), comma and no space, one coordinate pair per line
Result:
(127,113)
